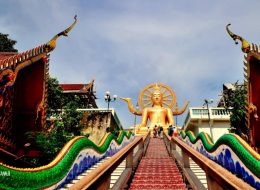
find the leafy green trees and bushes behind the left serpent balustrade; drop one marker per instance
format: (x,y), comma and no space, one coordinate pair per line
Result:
(68,123)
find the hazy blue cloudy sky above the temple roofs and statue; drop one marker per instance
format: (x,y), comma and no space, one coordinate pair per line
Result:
(127,45)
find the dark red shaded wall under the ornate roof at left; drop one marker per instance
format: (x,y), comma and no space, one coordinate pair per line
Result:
(28,93)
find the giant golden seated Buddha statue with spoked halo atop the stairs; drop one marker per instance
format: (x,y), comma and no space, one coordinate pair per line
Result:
(156,96)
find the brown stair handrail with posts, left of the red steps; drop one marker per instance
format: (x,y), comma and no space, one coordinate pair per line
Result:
(99,178)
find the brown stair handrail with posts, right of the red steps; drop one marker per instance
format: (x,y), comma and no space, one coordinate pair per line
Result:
(217,176)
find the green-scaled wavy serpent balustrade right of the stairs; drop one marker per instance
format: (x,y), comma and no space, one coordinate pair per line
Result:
(231,152)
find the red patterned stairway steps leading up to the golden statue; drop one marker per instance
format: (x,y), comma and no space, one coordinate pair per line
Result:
(157,170)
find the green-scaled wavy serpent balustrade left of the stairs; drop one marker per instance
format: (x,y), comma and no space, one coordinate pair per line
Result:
(76,156)
